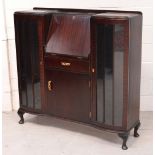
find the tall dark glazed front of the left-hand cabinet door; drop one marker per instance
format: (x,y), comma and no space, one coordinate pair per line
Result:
(28,63)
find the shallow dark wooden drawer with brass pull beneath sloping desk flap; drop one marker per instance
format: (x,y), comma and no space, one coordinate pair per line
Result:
(76,65)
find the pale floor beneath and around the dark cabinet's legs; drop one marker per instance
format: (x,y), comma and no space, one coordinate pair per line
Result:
(45,135)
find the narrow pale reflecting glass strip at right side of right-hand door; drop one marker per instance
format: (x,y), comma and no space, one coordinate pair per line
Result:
(118,74)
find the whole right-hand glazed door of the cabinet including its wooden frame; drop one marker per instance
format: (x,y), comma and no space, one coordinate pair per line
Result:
(109,102)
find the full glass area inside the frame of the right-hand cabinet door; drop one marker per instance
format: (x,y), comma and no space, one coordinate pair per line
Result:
(110,50)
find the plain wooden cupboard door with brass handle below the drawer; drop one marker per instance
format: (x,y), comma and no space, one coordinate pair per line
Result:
(68,95)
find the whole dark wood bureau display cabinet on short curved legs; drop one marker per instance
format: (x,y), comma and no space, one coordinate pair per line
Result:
(81,65)
